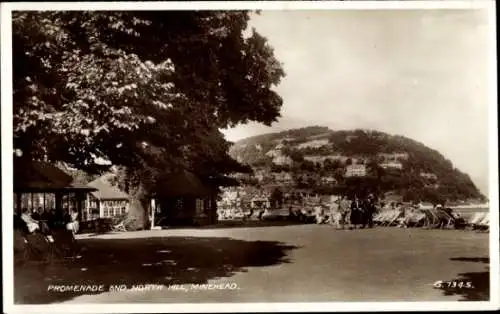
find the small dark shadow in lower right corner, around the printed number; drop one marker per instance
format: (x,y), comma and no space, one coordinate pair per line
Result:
(480,282)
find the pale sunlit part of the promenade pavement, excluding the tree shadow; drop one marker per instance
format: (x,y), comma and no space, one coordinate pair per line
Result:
(382,264)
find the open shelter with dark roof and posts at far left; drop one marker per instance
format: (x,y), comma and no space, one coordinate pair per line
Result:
(41,186)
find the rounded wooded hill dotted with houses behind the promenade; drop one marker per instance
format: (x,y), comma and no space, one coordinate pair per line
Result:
(326,160)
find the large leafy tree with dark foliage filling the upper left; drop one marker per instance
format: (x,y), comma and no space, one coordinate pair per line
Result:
(147,90)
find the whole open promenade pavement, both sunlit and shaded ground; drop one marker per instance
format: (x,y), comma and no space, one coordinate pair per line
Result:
(279,264)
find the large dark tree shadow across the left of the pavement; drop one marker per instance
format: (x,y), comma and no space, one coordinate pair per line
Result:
(159,261)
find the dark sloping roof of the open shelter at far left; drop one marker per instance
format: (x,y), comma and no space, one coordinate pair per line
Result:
(40,176)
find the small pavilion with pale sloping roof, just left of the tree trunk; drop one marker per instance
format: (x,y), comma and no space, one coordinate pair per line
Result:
(107,201)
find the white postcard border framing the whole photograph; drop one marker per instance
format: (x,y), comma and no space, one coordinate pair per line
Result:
(7,160)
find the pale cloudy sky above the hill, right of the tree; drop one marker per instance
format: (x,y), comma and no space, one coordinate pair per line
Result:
(422,74)
